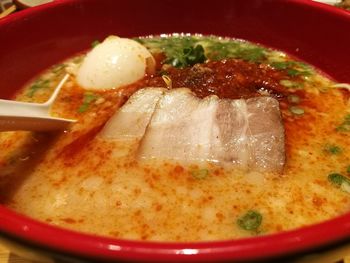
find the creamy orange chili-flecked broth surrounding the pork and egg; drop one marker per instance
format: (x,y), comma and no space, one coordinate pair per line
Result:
(88,184)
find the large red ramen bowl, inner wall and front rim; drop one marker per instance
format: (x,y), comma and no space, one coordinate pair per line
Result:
(33,39)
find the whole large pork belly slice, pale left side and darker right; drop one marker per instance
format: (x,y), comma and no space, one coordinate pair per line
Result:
(247,134)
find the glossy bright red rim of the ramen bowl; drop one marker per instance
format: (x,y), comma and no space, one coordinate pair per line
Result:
(39,234)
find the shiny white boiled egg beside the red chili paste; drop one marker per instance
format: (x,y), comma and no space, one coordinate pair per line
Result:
(114,63)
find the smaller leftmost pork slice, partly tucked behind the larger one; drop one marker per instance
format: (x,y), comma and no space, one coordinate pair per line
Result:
(131,120)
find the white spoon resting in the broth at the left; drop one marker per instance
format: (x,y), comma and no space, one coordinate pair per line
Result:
(28,116)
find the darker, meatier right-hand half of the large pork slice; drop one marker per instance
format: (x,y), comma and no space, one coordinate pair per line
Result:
(251,134)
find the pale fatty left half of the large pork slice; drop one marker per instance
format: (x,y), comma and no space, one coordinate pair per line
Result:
(180,128)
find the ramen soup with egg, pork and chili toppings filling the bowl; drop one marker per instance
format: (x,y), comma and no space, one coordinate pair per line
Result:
(182,138)
